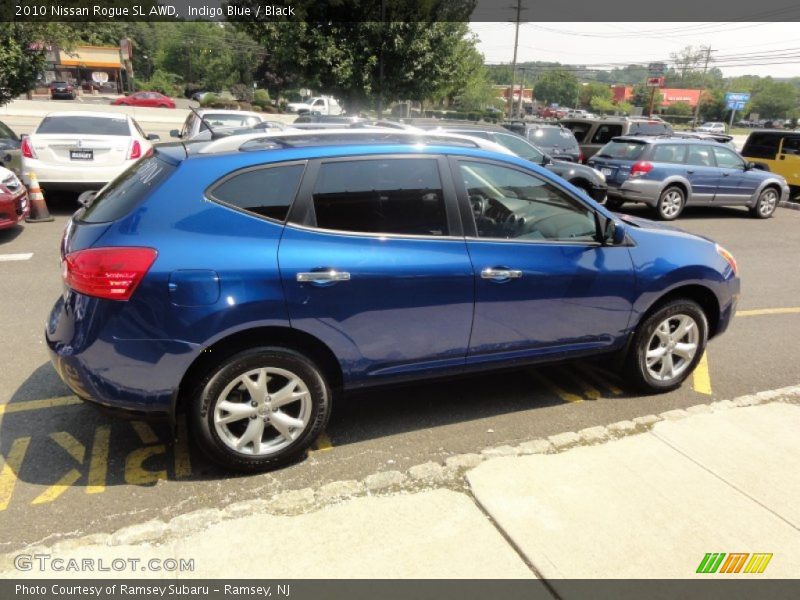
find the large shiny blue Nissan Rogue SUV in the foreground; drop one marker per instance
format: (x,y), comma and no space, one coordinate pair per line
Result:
(248,281)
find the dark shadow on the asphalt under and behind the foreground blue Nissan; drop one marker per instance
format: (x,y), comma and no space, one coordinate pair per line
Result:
(61,434)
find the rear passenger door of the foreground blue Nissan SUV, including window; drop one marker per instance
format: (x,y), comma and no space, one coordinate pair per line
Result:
(374,264)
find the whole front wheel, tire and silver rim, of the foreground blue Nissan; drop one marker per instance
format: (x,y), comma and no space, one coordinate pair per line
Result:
(667,346)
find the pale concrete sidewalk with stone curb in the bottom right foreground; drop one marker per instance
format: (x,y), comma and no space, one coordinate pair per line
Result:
(647,498)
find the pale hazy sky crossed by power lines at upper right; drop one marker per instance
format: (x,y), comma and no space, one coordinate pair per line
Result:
(737,48)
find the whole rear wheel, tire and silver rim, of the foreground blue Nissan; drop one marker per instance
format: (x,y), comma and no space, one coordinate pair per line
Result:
(260,409)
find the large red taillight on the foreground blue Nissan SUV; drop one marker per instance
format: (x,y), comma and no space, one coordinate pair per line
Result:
(110,273)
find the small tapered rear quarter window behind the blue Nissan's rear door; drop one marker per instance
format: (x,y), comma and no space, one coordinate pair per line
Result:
(264,191)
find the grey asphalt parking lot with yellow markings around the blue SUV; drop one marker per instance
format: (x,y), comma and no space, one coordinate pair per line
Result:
(68,470)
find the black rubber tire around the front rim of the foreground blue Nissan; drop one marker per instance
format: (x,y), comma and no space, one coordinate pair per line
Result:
(636,369)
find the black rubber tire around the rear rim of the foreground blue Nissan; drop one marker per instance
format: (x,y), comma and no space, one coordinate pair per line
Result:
(204,404)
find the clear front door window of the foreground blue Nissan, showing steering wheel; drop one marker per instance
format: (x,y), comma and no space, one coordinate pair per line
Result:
(509,204)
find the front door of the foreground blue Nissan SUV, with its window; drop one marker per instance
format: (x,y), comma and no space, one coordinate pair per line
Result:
(543,284)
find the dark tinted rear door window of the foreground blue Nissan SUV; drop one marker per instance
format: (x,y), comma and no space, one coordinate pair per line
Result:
(400,196)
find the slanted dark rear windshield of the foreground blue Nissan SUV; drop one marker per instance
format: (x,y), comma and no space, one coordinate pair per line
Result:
(119,197)
